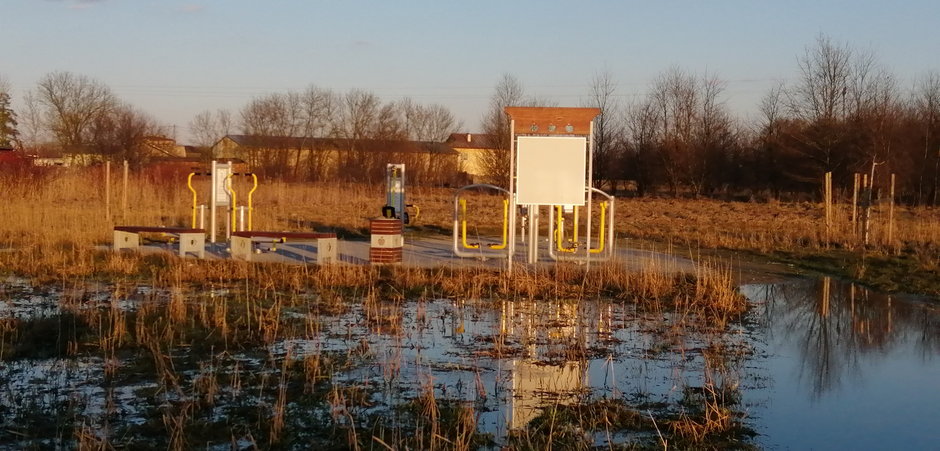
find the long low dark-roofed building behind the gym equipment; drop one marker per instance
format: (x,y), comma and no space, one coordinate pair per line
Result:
(306,158)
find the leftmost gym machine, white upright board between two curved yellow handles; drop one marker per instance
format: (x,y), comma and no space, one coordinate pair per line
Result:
(223,194)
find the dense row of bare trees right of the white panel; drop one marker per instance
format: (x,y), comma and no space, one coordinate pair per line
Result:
(845,113)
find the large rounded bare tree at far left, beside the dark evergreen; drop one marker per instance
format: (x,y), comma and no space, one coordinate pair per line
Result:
(71,104)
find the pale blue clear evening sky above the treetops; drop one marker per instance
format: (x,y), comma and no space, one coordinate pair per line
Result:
(176,58)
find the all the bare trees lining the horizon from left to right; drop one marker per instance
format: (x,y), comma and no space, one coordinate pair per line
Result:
(844,113)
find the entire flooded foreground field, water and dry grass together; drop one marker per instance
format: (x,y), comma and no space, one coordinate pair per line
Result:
(813,364)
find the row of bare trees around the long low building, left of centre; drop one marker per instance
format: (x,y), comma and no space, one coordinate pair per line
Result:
(348,120)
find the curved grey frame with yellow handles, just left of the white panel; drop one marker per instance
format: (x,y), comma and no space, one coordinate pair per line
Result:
(462,248)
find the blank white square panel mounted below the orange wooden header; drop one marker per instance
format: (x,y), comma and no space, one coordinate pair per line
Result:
(551,170)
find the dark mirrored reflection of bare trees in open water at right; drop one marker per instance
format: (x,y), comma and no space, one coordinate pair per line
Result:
(835,324)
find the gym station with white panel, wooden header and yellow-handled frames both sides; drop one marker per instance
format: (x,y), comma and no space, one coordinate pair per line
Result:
(551,155)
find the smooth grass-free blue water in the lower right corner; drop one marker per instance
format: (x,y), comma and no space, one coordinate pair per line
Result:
(876,393)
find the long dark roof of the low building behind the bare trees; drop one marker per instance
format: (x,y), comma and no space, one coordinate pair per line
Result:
(368,145)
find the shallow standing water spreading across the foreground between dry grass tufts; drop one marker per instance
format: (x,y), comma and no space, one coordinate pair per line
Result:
(815,363)
